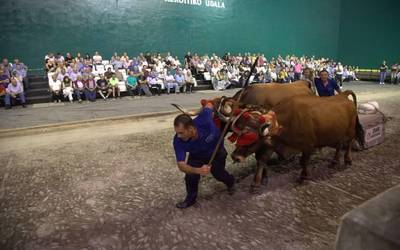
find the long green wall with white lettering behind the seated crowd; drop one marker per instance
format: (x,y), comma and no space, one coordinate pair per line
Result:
(30,29)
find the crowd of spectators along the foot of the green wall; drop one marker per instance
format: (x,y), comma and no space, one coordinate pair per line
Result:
(90,77)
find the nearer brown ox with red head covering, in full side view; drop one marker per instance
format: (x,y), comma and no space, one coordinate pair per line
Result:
(298,124)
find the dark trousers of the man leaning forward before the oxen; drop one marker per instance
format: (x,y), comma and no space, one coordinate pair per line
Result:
(217,170)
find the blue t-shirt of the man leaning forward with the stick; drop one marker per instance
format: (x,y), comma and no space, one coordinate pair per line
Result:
(204,145)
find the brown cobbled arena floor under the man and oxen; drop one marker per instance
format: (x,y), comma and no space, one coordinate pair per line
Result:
(114,186)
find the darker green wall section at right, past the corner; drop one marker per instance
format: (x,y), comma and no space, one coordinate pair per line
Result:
(369,32)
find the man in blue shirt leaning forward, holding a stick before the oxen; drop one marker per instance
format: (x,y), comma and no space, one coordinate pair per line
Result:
(199,137)
